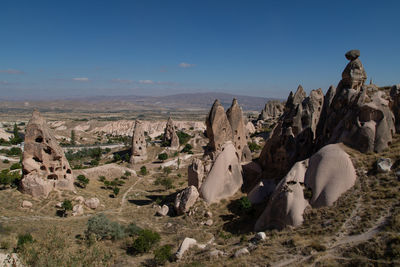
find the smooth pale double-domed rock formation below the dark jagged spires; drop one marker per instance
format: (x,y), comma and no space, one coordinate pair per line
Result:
(328,174)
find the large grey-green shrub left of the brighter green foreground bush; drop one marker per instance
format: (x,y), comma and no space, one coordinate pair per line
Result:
(103,228)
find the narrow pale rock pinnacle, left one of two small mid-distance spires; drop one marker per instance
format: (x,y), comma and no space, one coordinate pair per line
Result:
(139,150)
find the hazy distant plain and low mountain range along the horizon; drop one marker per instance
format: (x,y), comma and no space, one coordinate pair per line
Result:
(190,101)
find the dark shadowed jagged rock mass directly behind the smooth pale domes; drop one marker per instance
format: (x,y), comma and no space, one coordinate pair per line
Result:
(293,137)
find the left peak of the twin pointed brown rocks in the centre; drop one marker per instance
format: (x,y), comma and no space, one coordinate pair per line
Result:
(218,128)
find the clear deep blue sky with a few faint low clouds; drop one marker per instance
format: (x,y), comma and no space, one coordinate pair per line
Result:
(260,48)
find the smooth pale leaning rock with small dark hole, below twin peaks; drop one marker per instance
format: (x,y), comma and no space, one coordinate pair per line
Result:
(225,177)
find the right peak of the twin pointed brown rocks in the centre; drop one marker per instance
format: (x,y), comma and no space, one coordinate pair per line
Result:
(239,133)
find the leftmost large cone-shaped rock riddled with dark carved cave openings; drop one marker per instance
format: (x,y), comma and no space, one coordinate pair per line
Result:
(44,165)
